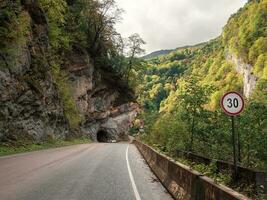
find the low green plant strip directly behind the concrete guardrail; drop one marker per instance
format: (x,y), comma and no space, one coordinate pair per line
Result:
(251,182)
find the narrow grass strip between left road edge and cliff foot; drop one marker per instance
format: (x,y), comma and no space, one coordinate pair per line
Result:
(21,147)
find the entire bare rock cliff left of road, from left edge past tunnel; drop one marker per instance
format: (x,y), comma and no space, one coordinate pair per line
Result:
(30,104)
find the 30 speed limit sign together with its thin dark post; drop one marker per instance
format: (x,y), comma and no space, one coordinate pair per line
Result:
(232,104)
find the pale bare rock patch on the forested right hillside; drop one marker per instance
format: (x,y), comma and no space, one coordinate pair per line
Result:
(249,80)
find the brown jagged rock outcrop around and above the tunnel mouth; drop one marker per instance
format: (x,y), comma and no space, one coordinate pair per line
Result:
(98,99)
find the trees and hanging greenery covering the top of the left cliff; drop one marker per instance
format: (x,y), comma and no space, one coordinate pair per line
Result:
(38,37)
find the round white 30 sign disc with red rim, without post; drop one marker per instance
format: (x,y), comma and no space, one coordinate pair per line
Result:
(232,103)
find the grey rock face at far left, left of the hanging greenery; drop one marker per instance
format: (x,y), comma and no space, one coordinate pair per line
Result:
(29,104)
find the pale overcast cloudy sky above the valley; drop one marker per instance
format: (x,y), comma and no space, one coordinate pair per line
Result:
(167,24)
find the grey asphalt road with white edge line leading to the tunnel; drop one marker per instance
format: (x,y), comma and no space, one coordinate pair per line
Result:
(82,172)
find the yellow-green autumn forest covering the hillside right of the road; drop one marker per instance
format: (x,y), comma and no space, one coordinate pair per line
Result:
(181,92)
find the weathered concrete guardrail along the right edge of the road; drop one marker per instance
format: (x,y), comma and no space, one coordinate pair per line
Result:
(181,181)
